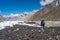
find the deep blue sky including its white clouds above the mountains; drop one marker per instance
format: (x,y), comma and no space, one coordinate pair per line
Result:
(8,7)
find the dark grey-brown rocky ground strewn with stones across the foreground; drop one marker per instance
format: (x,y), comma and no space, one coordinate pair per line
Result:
(23,32)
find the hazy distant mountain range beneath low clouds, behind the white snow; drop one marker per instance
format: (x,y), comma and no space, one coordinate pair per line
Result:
(23,17)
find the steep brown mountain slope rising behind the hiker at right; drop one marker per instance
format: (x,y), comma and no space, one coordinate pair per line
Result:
(50,13)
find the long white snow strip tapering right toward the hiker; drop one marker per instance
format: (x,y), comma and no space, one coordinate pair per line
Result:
(11,23)
